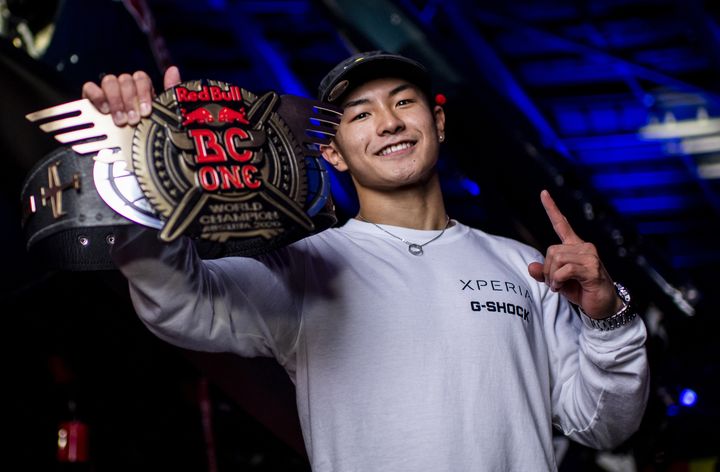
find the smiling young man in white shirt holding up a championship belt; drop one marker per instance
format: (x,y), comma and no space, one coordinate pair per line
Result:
(415,342)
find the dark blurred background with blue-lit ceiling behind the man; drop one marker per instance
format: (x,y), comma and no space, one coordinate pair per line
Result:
(613,105)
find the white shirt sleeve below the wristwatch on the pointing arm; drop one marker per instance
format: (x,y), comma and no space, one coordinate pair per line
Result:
(599,379)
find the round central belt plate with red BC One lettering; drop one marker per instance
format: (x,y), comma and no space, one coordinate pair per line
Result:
(217,162)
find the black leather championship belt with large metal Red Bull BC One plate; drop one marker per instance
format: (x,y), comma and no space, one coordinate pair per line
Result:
(240,174)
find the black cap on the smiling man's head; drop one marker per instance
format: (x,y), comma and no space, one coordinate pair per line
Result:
(361,68)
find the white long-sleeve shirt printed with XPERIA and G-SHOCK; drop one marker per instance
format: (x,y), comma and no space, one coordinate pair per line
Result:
(455,360)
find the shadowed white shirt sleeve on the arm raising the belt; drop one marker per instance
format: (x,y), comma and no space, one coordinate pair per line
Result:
(247,306)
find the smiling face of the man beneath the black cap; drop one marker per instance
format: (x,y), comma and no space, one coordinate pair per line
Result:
(388,136)
